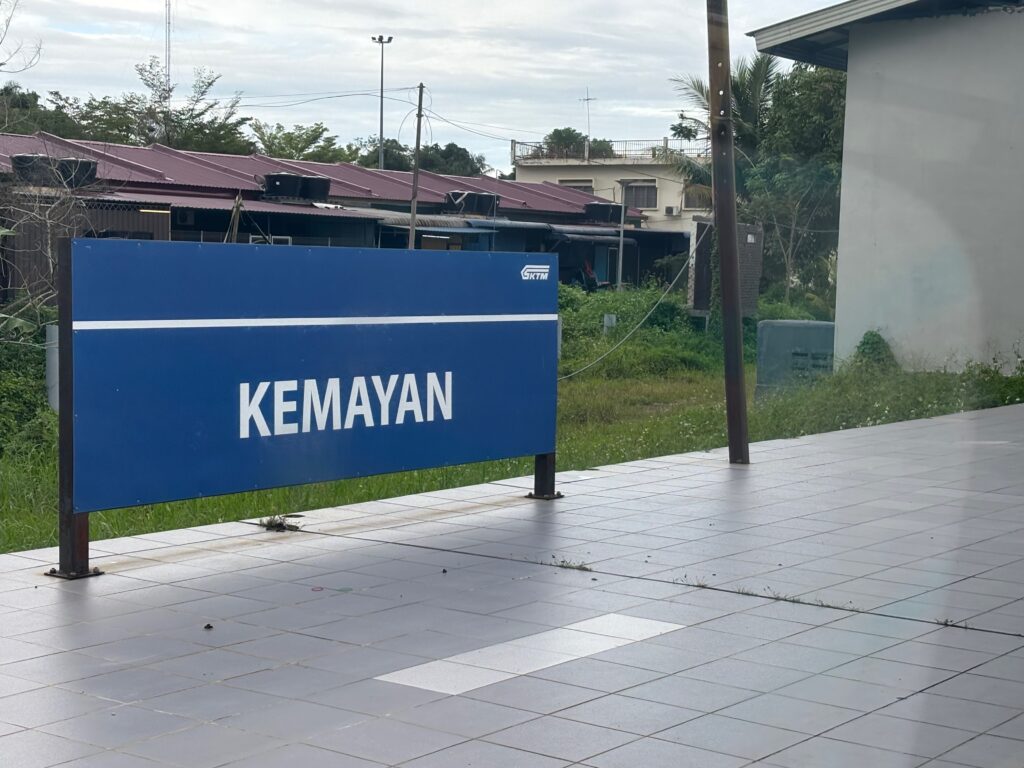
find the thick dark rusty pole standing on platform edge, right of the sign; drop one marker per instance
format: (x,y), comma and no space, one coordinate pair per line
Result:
(724,183)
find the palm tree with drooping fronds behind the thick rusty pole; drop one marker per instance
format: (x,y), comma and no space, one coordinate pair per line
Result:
(753,83)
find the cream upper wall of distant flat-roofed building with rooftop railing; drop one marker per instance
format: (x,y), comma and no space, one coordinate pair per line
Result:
(606,176)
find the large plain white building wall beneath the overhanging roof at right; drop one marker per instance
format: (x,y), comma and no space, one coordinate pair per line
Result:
(932,227)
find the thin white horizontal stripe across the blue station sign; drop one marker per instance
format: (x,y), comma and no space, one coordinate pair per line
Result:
(418,320)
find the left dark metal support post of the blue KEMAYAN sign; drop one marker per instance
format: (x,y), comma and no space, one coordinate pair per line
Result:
(73,531)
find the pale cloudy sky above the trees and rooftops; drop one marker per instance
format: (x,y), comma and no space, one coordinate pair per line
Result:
(507,70)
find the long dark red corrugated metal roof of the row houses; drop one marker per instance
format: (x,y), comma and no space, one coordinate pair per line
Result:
(156,167)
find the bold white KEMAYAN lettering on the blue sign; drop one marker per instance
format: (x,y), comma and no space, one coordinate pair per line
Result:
(280,408)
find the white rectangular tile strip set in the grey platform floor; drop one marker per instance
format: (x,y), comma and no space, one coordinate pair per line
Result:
(477,669)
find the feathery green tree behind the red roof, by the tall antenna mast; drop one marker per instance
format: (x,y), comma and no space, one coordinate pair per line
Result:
(199,123)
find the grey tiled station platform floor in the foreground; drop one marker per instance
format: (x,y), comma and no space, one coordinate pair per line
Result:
(440,631)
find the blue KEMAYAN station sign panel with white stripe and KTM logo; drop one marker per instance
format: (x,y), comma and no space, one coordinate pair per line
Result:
(205,369)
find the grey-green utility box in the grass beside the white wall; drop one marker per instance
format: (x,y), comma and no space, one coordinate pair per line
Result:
(792,353)
